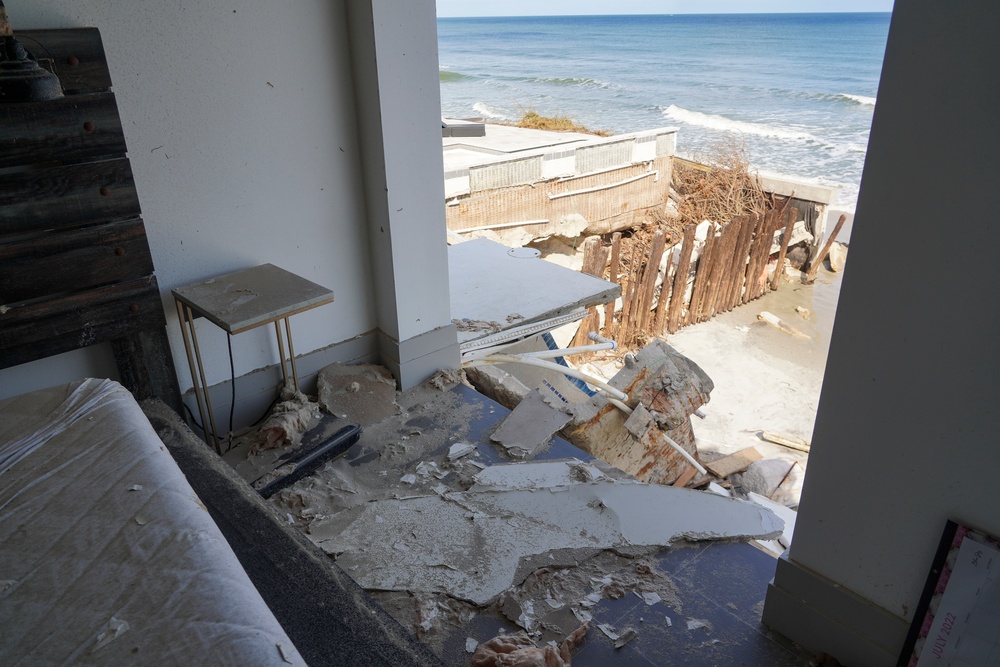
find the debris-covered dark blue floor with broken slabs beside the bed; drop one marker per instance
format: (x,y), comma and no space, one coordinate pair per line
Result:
(461,543)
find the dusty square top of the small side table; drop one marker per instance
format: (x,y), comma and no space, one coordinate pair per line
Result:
(252,297)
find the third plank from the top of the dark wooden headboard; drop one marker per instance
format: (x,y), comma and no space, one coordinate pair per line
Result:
(67,196)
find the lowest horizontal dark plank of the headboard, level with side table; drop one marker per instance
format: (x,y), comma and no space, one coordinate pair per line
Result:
(46,328)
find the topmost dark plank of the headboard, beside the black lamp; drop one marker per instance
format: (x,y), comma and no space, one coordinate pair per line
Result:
(77,56)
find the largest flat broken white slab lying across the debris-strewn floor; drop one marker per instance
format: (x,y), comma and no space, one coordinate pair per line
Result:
(470,544)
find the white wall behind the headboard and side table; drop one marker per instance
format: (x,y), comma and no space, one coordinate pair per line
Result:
(241,126)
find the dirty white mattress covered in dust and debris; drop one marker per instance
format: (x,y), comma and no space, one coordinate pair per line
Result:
(106,554)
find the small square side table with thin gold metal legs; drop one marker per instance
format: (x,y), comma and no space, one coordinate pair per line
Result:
(238,302)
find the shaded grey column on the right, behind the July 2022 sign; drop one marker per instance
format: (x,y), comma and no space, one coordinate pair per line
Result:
(906,432)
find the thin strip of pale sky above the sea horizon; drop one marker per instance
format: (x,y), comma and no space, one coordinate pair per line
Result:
(577,7)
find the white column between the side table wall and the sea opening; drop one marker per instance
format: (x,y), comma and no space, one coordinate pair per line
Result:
(395,66)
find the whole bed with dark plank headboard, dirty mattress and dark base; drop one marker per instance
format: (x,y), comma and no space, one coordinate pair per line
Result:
(123,538)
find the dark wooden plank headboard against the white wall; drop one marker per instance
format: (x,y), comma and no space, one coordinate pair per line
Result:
(75,266)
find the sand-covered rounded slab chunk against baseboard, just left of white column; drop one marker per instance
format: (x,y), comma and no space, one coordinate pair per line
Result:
(364,393)
